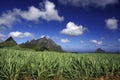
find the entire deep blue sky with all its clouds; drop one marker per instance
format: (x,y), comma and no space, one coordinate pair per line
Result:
(76,25)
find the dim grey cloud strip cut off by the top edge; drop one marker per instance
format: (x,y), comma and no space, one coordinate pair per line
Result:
(84,3)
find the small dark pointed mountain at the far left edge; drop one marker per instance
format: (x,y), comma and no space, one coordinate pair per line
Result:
(10,42)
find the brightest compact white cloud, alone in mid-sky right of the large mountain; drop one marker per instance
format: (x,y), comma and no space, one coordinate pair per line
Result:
(73,30)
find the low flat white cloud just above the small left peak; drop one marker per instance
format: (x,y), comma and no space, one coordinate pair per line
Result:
(18,34)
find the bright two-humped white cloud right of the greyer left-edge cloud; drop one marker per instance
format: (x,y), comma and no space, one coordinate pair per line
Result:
(48,13)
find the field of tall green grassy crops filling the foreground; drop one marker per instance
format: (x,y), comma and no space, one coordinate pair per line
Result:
(31,65)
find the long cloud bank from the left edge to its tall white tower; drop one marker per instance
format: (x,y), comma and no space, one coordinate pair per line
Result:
(32,14)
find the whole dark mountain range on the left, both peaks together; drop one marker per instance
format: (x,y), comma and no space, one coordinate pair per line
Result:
(42,44)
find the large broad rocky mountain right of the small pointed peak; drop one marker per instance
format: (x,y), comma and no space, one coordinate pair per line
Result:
(42,44)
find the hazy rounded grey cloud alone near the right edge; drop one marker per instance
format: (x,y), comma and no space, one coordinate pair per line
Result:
(112,23)
